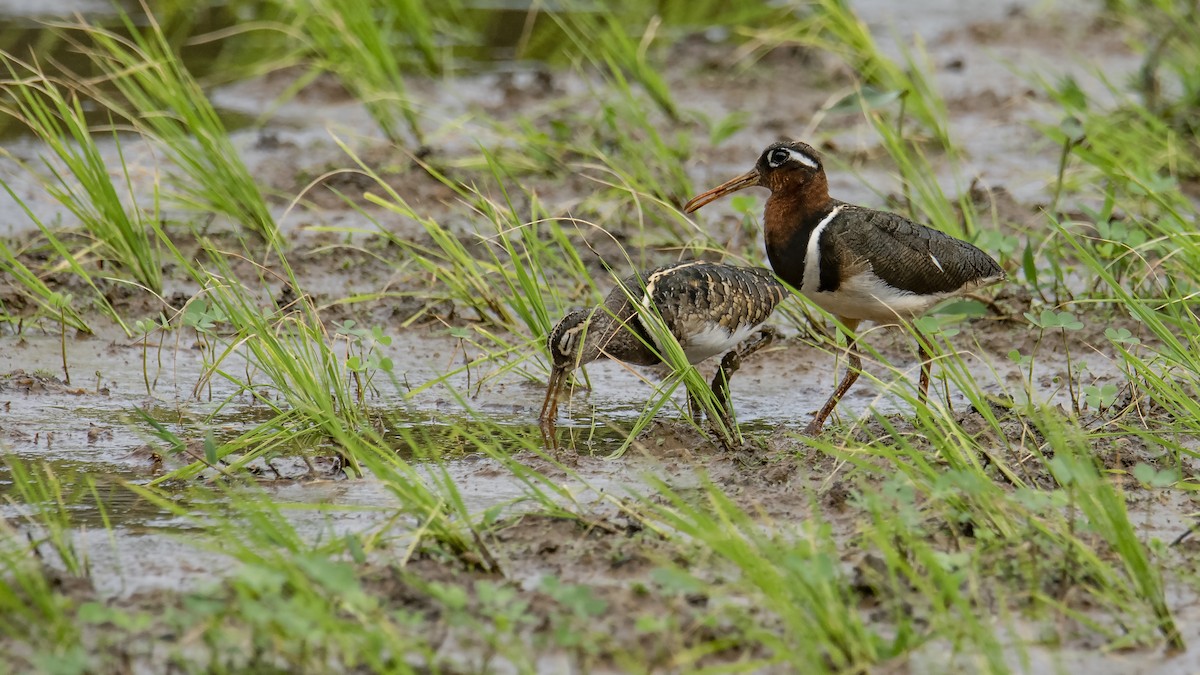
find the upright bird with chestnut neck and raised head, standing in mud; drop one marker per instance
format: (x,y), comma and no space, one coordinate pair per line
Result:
(856,264)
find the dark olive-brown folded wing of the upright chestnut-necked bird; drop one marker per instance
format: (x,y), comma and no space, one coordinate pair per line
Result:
(907,255)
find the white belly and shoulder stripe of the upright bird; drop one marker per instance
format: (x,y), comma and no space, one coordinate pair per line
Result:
(865,296)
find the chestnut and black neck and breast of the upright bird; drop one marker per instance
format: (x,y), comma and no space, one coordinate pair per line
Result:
(789,222)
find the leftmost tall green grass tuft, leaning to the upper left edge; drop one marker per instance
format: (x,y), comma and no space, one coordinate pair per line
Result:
(128,235)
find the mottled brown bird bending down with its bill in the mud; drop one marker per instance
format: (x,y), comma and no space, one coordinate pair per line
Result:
(710,308)
